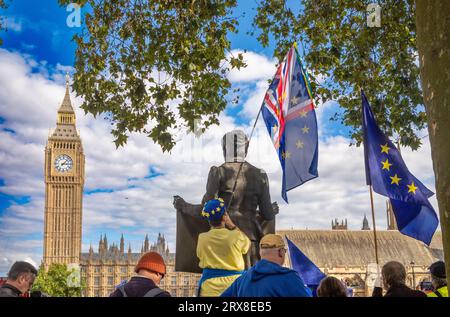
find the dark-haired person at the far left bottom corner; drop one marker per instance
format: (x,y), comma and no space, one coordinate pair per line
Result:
(21,277)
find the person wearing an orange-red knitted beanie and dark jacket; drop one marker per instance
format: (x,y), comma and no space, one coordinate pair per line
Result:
(150,270)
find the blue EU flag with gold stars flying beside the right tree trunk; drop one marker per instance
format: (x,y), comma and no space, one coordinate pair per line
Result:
(389,176)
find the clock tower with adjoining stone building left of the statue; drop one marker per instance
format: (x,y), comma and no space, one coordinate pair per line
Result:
(64,180)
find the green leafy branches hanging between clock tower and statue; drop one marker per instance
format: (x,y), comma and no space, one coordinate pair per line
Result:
(147,63)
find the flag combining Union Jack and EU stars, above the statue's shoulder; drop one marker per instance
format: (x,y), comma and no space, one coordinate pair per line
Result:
(290,118)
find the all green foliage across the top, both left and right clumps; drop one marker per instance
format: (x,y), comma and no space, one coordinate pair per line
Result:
(155,66)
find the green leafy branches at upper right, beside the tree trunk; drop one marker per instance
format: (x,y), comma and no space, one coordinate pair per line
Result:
(341,47)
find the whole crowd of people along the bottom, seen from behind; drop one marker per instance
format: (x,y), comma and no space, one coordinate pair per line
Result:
(221,250)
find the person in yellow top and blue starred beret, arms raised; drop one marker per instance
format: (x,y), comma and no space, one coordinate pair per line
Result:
(220,250)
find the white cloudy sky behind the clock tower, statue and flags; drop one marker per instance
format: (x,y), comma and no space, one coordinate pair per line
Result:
(123,197)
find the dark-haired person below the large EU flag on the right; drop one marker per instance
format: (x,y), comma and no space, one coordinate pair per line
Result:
(393,277)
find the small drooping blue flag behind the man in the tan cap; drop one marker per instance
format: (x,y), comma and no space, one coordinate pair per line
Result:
(307,270)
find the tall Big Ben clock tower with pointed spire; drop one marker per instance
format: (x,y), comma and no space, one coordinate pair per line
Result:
(64,180)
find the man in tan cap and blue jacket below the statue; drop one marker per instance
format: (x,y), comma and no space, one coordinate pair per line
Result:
(268,278)
